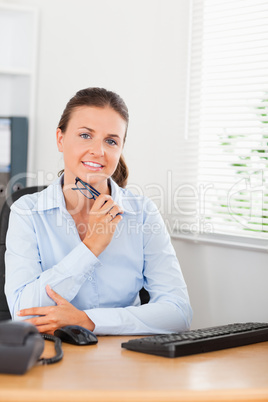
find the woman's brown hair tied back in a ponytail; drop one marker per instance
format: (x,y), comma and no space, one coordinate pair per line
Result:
(99,97)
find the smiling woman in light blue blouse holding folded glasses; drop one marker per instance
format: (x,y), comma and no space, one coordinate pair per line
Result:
(75,260)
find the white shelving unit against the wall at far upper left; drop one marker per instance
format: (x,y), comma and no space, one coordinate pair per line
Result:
(18,58)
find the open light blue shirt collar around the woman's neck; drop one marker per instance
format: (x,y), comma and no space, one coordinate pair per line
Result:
(52,197)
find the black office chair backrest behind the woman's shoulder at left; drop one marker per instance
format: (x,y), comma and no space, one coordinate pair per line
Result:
(4,218)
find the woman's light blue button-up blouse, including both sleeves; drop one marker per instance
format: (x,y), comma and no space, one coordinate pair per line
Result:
(44,247)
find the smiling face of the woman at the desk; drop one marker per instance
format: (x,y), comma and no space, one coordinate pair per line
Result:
(92,145)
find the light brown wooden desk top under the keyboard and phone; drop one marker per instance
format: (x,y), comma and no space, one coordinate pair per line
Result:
(107,373)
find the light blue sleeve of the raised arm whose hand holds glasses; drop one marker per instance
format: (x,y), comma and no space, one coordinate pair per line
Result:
(26,280)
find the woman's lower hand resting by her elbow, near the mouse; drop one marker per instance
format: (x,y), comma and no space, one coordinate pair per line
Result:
(50,318)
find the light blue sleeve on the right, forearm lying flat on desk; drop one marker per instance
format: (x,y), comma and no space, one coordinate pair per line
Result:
(169,307)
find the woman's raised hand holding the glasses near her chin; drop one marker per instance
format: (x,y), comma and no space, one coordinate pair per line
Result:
(104,217)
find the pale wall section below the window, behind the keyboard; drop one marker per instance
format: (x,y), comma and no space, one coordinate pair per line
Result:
(226,284)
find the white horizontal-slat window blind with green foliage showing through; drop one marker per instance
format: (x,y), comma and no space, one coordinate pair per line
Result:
(222,180)
